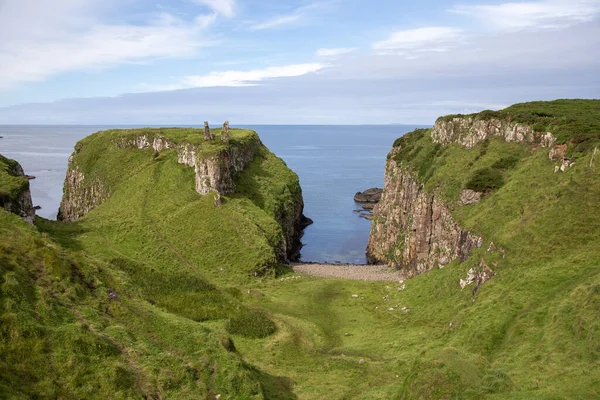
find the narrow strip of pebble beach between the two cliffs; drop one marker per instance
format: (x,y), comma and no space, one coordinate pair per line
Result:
(353,272)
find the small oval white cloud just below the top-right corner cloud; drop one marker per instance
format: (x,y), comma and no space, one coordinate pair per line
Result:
(436,38)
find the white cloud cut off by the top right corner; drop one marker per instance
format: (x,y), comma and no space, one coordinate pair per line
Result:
(547,14)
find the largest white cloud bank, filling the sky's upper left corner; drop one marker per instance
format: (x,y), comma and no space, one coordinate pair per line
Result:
(47,38)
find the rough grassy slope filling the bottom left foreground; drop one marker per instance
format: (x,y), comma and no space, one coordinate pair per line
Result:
(72,327)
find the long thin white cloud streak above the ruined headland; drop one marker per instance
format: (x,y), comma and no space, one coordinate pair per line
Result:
(239,78)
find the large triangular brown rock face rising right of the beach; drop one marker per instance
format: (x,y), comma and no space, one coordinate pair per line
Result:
(413,229)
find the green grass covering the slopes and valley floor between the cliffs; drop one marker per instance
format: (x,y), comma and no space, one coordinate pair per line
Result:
(184,275)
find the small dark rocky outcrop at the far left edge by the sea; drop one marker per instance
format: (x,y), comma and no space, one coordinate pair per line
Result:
(16,198)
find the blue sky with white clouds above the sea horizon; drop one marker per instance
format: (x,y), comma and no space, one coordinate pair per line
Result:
(289,61)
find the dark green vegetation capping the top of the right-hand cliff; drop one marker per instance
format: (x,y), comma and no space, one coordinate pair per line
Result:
(576,122)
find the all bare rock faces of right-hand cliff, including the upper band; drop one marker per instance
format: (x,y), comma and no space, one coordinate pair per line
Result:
(413,229)
